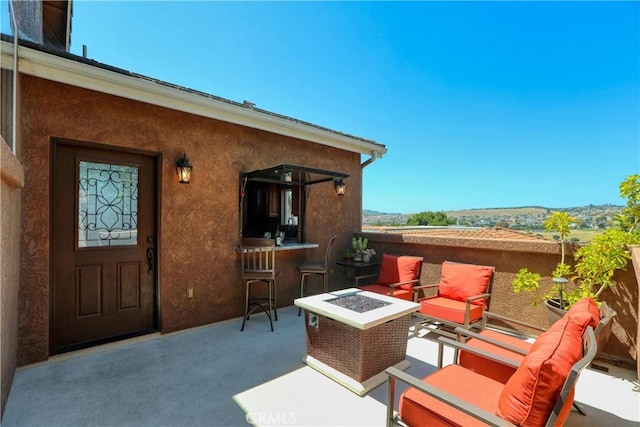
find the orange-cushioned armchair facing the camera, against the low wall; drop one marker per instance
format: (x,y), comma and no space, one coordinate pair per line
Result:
(462,295)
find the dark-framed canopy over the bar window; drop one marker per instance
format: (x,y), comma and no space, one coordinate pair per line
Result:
(293,175)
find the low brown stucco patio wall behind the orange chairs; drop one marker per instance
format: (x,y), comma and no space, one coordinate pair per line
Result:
(508,257)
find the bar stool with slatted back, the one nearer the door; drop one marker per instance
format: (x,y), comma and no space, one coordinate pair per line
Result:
(258,261)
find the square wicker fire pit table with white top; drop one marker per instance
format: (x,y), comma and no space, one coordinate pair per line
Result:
(354,335)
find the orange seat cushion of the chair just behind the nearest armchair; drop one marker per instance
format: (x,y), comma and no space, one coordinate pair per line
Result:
(491,368)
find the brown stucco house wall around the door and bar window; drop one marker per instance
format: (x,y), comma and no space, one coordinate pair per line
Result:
(198,222)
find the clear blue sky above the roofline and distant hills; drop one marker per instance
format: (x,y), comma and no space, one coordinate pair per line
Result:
(480,105)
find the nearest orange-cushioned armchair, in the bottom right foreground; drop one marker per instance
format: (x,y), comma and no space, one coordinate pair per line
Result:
(540,392)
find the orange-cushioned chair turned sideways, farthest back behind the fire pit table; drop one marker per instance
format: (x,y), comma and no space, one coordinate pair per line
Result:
(398,276)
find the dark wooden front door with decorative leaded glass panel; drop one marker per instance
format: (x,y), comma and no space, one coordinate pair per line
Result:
(103,245)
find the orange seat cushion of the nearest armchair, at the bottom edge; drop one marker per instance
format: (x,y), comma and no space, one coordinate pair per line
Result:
(419,409)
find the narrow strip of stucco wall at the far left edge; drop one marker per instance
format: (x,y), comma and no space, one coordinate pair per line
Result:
(11,182)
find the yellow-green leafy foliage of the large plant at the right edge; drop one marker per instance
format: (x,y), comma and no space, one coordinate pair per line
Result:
(596,262)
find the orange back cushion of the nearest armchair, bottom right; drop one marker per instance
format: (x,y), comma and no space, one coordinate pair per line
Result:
(530,394)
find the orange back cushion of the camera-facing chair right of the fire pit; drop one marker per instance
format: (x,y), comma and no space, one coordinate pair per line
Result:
(460,281)
